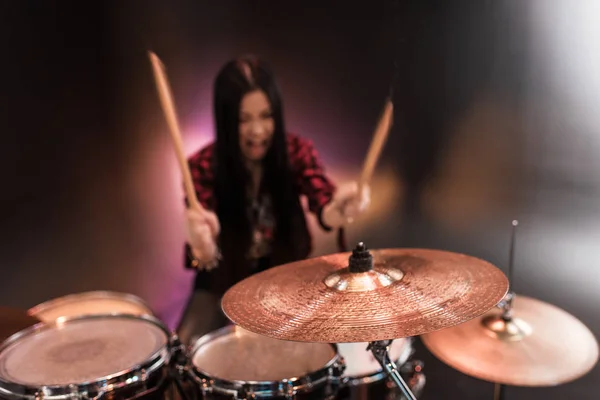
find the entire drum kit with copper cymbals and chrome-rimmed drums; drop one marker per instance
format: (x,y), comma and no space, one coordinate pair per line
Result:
(335,327)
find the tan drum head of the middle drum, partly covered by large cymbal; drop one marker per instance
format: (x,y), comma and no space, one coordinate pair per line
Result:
(235,354)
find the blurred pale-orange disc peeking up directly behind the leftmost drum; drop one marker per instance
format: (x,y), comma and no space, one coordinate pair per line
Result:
(90,303)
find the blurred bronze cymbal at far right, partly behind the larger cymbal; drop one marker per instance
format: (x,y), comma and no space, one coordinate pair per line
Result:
(542,346)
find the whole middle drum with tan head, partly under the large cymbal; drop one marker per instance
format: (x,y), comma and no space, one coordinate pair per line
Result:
(232,363)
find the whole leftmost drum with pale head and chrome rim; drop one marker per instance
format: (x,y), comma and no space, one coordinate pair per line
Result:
(113,356)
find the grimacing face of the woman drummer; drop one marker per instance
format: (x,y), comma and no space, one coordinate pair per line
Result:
(256,125)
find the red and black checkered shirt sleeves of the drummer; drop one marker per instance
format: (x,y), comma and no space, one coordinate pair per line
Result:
(307,170)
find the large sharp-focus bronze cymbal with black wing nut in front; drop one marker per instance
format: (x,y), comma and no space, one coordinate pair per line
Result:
(407,292)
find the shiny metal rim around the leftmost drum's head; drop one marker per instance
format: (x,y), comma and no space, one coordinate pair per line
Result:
(140,373)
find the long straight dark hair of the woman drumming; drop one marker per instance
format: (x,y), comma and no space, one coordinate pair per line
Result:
(291,239)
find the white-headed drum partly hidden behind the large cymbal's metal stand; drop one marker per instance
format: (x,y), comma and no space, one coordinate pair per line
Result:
(364,378)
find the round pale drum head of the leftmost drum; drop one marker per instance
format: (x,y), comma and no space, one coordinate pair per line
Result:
(79,351)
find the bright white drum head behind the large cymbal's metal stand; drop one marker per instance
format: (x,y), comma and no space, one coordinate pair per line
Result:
(361,363)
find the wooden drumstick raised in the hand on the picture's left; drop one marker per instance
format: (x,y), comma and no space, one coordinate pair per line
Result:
(166,99)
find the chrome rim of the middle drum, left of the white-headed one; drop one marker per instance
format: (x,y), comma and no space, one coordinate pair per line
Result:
(261,388)
